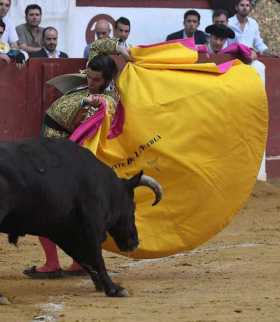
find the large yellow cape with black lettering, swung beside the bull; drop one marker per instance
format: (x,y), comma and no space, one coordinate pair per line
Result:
(199,132)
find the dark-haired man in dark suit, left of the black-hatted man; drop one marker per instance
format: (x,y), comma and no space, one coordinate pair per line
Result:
(191,23)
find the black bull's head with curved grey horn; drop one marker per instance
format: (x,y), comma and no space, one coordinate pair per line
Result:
(124,231)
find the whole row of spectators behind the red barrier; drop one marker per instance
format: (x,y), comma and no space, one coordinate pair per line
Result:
(37,41)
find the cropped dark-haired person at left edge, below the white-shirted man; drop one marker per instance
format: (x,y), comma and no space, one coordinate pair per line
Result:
(6,53)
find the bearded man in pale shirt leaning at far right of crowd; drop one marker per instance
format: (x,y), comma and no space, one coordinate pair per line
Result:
(246,28)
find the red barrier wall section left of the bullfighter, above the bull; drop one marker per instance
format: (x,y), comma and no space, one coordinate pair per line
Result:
(24,94)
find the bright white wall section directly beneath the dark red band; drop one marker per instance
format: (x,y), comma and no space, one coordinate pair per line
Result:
(148,25)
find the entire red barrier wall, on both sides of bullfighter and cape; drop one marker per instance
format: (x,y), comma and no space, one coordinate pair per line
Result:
(24,96)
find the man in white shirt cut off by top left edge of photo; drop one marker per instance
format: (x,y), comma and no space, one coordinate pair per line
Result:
(10,34)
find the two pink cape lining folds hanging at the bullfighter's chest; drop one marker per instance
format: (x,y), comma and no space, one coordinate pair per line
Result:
(89,128)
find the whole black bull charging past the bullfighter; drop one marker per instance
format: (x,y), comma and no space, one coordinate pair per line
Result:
(59,190)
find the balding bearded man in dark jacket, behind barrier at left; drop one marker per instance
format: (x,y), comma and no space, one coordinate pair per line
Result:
(49,50)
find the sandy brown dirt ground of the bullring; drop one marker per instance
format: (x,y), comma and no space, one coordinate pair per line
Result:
(234,277)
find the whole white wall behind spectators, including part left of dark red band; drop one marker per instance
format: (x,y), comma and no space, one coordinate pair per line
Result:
(148,25)
